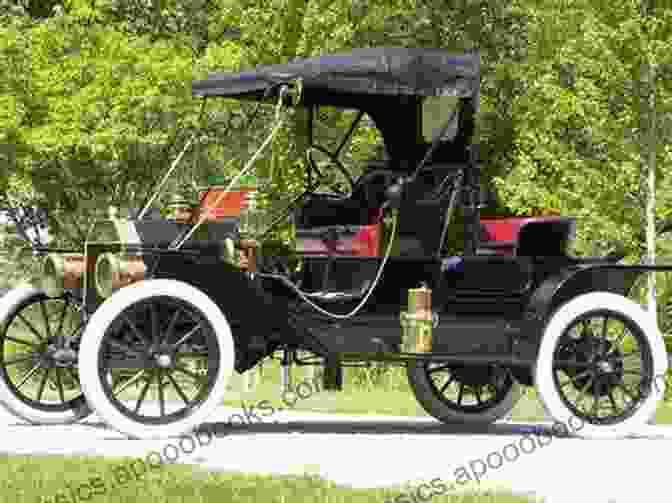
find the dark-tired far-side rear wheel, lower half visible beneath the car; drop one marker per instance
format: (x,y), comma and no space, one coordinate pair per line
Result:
(448,404)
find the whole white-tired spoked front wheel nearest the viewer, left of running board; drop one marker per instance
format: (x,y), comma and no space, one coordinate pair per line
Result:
(155,359)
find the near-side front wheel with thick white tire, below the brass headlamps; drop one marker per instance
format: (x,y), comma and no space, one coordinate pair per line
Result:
(102,328)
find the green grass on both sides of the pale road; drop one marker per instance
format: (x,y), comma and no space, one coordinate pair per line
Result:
(52,479)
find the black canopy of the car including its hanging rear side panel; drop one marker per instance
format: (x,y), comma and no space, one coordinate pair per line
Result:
(387,83)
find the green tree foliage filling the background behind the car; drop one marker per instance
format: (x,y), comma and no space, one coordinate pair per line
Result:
(96,97)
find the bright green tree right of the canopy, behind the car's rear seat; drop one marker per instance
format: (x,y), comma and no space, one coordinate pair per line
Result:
(577,143)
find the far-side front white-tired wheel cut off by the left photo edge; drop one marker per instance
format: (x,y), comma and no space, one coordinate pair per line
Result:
(27,399)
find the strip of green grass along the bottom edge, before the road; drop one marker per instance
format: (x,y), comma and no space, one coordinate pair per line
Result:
(57,479)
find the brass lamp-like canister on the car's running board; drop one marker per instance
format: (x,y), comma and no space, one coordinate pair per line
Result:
(417,322)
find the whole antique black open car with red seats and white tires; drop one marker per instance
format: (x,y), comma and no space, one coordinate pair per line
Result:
(150,296)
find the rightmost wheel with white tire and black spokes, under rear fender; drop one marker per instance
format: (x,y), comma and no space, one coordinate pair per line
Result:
(593,396)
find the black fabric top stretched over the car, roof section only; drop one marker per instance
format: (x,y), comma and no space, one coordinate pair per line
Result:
(327,79)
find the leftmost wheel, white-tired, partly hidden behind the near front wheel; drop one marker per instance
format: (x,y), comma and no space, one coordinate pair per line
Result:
(39,381)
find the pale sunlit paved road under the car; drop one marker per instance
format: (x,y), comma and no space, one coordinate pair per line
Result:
(371,451)
